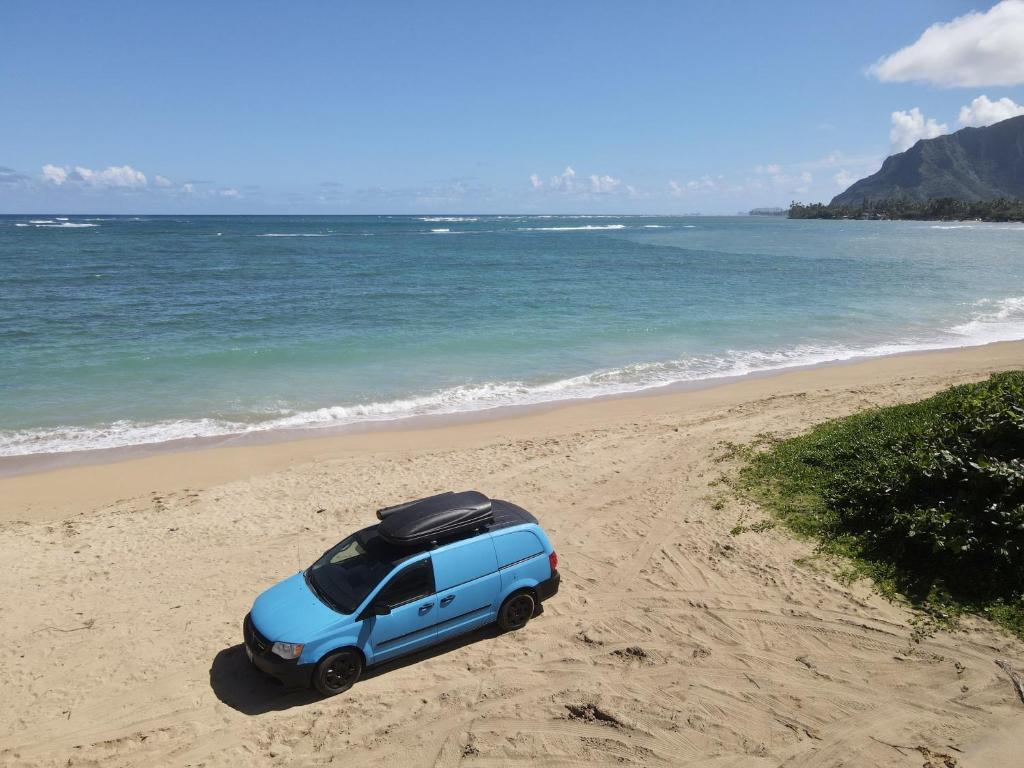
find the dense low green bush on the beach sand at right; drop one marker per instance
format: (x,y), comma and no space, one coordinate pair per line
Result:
(927,499)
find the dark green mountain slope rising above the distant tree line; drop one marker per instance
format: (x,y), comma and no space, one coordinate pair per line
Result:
(973,164)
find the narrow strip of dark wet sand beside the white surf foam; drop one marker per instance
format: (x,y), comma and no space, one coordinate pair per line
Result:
(26,464)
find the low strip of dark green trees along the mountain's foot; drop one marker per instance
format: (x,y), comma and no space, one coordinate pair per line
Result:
(944,209)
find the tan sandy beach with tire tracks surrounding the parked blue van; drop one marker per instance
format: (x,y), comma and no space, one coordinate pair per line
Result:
(672,642)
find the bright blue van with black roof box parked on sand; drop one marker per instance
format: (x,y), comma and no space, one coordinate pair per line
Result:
(430,571)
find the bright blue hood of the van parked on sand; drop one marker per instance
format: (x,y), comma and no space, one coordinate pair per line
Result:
(290,613)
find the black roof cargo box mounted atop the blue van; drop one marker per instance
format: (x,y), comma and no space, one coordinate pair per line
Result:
(442,517)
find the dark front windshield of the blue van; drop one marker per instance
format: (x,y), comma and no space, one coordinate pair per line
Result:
(349,572)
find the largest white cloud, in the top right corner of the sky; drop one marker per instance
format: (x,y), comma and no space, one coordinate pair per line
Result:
(975,50)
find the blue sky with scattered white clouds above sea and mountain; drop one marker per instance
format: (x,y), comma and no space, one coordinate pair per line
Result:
(480,107)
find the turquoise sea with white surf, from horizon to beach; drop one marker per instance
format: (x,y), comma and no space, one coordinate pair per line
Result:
(118,331)
